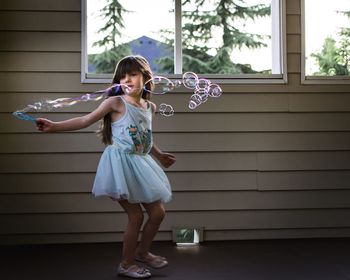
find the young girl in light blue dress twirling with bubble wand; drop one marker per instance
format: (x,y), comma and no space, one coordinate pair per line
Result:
(126,172)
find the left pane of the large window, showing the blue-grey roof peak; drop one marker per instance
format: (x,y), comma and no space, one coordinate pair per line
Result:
(134,28)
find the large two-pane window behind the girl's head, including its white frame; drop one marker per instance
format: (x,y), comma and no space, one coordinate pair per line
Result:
(228,41)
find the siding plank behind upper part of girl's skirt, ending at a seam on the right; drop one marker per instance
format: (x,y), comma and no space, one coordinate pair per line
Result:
(87,162)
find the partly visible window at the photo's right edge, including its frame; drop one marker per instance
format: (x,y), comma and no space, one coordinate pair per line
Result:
(326,41)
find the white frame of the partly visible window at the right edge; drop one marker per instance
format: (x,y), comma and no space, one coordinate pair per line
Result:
(307,79)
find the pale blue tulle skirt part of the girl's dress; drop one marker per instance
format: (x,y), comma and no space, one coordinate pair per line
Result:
(134,177)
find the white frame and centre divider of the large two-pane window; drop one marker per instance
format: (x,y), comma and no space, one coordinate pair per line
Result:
(278,13)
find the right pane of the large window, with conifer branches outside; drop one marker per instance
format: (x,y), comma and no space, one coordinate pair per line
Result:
(227,37)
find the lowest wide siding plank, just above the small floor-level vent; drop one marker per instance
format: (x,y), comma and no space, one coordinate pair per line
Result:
(225,220)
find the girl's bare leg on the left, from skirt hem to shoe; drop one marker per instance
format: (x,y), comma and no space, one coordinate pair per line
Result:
(135,220)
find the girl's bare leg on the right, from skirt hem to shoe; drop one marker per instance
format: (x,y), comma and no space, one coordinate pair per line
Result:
(156,213)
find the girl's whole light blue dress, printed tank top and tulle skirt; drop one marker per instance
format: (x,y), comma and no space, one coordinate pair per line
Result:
(126,170)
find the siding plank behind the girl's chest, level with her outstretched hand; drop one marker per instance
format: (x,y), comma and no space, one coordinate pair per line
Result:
(215,122)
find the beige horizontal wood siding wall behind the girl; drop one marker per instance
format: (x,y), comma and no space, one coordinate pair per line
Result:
(263,161)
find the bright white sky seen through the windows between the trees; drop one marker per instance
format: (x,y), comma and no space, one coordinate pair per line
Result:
(144,22)
